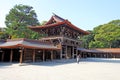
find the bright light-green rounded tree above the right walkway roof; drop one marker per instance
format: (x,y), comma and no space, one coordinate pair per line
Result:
(108,33)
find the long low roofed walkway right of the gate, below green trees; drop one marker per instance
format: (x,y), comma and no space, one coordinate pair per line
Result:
(100,52)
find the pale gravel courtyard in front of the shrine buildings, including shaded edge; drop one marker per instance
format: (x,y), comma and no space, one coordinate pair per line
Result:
(87,69)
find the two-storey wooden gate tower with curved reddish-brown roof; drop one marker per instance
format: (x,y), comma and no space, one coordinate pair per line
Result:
(61,33)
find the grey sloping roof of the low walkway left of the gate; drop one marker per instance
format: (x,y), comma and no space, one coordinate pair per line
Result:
(27,43)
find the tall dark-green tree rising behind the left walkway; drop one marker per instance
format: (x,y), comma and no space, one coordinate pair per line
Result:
(19,17)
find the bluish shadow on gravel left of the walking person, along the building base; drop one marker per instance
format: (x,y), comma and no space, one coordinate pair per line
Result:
(46,63)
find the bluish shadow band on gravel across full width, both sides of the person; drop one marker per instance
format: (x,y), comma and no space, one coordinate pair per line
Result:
(63,62)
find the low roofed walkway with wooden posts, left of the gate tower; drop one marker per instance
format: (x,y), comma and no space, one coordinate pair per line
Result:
(25,50)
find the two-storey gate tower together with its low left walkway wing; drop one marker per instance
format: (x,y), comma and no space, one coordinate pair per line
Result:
(61,40)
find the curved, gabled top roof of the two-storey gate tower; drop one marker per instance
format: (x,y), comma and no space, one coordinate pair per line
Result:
(58,21)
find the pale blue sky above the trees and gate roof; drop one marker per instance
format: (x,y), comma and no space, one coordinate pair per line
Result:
(85,14)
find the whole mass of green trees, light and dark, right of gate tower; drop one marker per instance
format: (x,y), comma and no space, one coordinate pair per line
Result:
(105,36)
